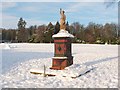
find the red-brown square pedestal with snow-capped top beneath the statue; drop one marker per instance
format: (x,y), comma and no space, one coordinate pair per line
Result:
(62,54)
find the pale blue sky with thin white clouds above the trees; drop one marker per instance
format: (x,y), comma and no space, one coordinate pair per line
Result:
(37,13)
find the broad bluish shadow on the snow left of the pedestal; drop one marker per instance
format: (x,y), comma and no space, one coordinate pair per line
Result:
(11,58)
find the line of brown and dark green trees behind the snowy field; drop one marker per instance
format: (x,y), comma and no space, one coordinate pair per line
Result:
(92,33)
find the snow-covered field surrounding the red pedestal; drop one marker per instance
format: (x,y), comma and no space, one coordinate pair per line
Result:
(19,59)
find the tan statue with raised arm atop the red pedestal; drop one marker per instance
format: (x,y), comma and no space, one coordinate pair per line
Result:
(62,20)
